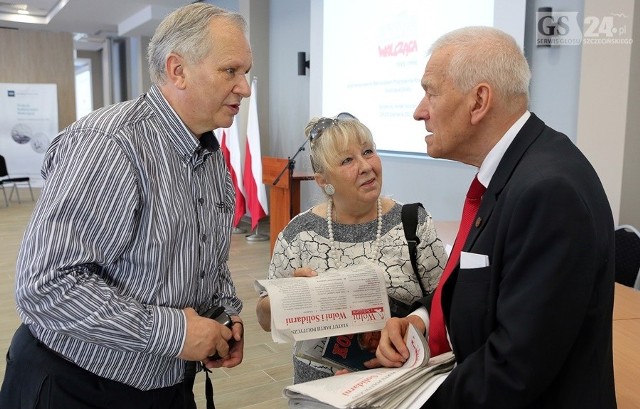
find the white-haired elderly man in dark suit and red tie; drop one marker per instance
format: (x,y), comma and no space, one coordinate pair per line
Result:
(526,302)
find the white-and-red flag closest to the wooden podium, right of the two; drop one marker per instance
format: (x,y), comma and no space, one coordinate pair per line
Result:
(254,188)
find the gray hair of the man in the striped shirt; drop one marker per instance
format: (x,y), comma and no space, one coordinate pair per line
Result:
(185,32)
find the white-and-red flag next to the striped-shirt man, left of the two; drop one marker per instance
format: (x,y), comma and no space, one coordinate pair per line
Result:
(229,139)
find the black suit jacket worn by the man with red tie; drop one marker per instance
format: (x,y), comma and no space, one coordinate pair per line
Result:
(533,330)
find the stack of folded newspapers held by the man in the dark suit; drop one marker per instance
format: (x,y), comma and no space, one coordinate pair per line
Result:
(407,387)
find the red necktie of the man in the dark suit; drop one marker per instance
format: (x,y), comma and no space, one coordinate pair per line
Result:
(438,343)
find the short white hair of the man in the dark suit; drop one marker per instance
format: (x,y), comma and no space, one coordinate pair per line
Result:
(486,54)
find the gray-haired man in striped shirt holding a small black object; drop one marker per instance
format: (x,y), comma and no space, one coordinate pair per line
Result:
(130,239)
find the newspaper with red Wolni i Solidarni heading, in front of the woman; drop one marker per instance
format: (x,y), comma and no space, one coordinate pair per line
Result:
(349,300)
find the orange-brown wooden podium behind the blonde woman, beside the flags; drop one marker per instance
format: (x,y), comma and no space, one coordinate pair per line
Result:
(284,202)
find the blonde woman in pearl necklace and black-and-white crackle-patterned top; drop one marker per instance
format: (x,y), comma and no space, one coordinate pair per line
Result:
(353,225)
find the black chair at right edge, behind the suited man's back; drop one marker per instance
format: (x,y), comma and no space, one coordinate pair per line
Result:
(628,256)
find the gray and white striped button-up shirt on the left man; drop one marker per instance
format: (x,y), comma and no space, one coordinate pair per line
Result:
(133,225)
